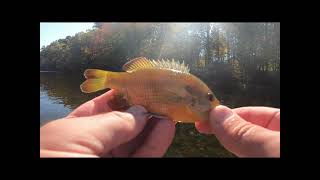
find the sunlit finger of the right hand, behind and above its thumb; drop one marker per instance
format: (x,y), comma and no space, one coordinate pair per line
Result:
(262,116)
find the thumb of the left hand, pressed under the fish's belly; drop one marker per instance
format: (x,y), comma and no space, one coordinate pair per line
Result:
(106,131)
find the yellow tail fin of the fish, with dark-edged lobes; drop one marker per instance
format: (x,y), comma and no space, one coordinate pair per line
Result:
(96,80)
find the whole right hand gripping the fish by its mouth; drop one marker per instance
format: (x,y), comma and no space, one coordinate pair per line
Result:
(246,131)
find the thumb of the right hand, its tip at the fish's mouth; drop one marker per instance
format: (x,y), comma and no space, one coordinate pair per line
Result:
(241,137)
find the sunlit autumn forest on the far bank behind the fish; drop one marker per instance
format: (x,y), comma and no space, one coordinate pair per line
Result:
(231,57)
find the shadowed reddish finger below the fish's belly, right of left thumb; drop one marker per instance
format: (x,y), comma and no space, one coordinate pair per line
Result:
(158,140)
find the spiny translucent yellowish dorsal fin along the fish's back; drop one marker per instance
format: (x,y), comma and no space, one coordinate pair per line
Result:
(144,63)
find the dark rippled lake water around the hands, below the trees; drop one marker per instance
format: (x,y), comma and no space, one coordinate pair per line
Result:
(60,94)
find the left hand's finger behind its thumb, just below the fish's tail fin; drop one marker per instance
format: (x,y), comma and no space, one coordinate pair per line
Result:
(94,106)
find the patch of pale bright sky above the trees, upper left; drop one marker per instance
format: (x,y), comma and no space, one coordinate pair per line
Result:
(50,32)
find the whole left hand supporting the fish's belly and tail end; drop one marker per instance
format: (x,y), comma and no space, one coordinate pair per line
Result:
(94,130)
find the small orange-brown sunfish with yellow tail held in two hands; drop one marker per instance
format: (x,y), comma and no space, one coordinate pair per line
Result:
(166,88)
